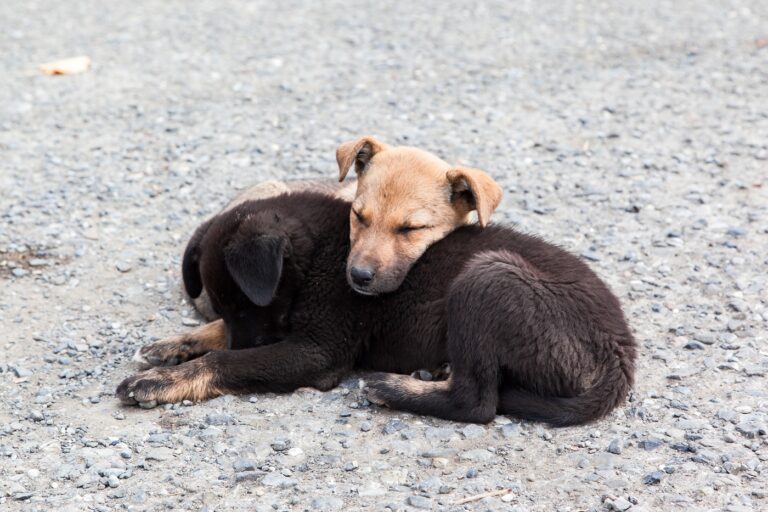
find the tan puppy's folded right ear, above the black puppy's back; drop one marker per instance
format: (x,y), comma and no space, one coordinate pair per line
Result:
(476,190)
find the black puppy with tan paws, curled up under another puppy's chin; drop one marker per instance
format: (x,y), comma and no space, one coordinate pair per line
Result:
(528,328)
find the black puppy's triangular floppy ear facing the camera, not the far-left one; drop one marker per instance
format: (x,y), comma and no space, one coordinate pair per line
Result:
(256,264)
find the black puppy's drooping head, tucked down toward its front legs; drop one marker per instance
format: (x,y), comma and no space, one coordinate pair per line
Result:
(246,267)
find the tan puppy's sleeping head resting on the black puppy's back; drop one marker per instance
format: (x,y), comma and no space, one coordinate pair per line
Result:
(406,200)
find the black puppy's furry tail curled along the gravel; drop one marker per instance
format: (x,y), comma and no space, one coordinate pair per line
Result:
(594,403)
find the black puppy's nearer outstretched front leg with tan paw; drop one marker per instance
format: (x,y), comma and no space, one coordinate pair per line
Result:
(281,367)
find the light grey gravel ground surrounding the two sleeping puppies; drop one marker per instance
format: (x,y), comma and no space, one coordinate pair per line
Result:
(635,136)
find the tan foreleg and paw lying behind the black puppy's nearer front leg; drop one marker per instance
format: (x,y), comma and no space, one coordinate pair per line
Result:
(184,347)
